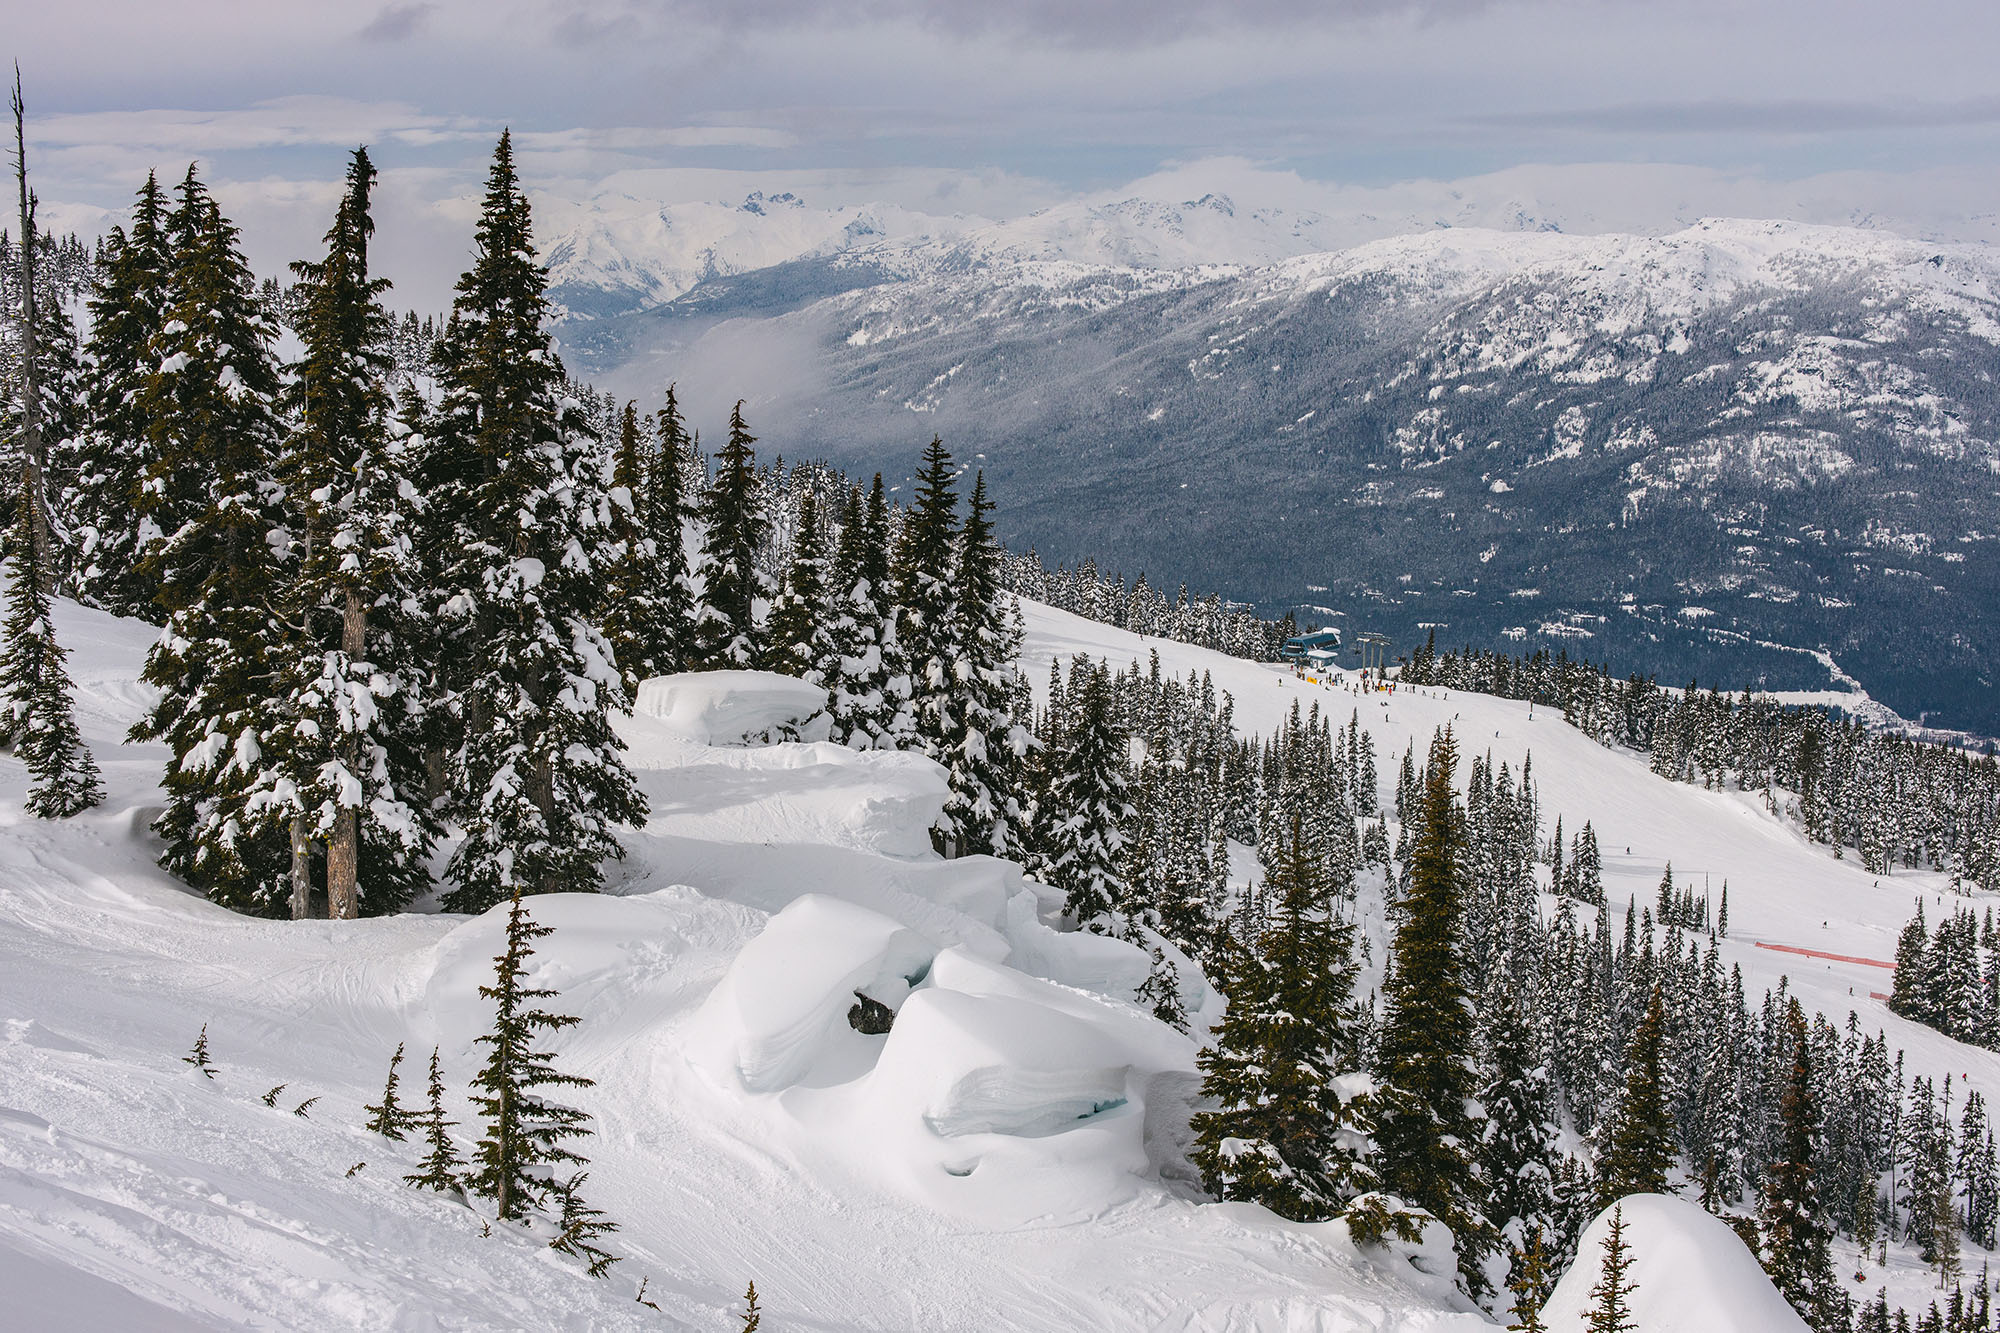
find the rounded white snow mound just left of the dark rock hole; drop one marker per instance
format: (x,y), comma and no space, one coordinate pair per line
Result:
(785,1000)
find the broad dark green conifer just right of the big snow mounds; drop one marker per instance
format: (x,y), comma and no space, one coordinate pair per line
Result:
(1285,1134)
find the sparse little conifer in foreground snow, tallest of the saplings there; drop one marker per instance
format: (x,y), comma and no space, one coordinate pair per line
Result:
(525,1134)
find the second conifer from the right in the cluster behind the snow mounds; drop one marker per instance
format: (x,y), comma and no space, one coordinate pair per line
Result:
(927,601)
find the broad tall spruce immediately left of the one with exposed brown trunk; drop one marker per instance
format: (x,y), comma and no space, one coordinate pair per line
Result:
(209,507)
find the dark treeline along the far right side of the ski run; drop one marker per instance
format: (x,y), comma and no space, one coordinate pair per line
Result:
(1889,800)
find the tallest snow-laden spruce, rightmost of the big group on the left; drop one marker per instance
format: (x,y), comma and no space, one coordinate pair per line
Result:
(525,539)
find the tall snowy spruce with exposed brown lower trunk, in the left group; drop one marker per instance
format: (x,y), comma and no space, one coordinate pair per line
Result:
(349,706)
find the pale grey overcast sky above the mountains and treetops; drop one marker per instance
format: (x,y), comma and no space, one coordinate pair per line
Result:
(991,107)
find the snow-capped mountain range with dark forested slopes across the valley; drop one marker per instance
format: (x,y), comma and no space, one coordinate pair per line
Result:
(1491,433)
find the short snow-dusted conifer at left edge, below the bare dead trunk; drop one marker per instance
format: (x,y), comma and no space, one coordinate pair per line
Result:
(35,690)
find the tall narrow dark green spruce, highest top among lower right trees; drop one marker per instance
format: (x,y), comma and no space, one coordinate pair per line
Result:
(1425,1068)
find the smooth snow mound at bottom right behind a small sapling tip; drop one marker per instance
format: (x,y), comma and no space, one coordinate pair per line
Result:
(1691,1276)
